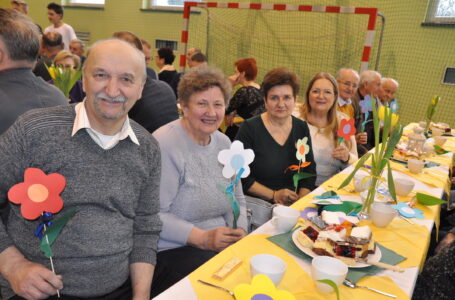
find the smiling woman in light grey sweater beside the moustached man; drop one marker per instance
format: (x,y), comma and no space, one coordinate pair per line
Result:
(195,213)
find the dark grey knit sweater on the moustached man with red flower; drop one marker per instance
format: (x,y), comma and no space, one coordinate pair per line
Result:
(116,191)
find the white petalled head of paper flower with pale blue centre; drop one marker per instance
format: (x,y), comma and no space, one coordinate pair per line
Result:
(236,158)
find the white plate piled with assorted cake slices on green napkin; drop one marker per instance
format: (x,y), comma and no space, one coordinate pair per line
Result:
(327,235)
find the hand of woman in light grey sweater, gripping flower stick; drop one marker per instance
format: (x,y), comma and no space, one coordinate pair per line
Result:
(219,238)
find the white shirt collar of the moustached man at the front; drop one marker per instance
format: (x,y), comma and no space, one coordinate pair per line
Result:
(106,142)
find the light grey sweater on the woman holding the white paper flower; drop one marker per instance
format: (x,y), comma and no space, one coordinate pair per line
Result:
(188,193)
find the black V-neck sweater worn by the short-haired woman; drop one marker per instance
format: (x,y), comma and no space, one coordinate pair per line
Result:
(271,159)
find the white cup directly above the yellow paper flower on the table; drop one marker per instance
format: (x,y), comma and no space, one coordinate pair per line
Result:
(269,265)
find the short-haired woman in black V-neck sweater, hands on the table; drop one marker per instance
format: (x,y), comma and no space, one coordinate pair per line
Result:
(273,136)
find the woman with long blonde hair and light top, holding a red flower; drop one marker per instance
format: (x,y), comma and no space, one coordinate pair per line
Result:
(323,119)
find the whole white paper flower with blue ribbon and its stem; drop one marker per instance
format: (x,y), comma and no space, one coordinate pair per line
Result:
(235,160)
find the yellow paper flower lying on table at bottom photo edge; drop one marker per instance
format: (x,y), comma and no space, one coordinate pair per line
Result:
(261,288)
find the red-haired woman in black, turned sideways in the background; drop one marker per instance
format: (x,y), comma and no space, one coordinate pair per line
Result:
(248,101)
